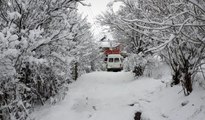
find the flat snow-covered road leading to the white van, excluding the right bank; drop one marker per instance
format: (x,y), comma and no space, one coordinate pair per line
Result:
(102,96)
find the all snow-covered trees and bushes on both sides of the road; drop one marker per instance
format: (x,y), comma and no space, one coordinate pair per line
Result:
(46,44)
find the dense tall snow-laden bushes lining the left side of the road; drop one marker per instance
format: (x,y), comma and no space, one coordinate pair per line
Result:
(38,41)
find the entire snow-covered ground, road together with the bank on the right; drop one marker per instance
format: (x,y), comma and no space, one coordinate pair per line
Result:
(118,96)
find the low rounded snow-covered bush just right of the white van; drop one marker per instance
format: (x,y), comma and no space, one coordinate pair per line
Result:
(149,66)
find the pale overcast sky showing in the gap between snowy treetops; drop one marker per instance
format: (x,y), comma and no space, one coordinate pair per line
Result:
(96,8)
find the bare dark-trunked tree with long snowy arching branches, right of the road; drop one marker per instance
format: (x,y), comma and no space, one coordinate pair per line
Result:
(172,24)
